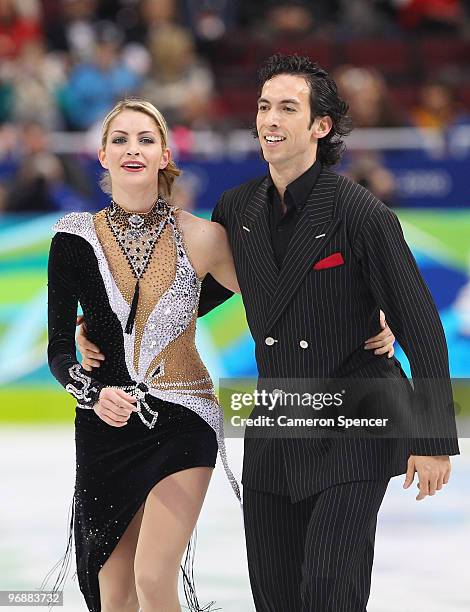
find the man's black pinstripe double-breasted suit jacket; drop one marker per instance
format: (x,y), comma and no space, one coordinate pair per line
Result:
(333,311)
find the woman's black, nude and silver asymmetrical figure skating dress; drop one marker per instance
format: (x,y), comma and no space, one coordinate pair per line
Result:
(139,294)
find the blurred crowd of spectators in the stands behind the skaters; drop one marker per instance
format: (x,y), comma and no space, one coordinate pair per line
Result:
(63,64)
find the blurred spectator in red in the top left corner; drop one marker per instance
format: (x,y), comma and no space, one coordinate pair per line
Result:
(17,28)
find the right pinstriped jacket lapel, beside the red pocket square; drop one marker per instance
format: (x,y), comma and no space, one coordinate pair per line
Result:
(314,229)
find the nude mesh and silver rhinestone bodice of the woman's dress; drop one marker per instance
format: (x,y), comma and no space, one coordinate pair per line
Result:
(166,314)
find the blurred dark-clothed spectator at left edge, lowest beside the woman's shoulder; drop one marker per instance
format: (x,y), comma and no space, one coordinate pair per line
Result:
(45,181)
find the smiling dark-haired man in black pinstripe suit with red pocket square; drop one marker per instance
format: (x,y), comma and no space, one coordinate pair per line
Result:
(317,257)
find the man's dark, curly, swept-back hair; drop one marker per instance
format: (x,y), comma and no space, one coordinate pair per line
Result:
(324,100)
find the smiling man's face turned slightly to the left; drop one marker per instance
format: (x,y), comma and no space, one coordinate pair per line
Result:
(283,122)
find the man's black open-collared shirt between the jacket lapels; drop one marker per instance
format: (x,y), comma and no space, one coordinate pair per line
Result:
(282,223)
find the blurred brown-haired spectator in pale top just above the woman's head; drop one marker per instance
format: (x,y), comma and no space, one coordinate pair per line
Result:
(179,84)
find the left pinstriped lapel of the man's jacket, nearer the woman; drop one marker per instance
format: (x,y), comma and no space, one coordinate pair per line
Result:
(256,237)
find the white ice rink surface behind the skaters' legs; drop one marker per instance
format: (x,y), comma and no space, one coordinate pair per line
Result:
(422,559)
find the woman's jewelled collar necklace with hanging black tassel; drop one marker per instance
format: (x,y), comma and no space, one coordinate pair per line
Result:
(137,235)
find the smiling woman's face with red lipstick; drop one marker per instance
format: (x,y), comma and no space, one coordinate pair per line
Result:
(133,153)
